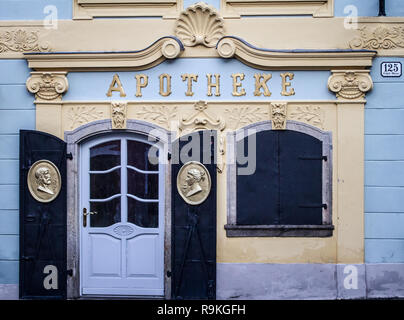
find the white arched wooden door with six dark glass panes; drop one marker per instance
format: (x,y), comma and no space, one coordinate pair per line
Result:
(122,239)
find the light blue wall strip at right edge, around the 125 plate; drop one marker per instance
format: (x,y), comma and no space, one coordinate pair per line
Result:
(384,168)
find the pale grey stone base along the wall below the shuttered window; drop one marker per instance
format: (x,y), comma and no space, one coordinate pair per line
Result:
(309,281)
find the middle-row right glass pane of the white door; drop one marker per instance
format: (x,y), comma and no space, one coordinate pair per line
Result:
(142,185)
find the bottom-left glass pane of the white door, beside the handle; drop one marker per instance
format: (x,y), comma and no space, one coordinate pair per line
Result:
(108,213)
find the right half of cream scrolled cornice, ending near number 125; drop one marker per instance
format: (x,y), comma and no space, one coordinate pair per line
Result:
(267,59)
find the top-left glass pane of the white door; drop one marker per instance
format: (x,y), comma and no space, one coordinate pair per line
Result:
(105,155)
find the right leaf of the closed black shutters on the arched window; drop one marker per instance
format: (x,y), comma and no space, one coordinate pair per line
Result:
(301,161)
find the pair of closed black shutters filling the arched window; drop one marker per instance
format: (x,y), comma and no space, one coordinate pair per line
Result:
(286,188)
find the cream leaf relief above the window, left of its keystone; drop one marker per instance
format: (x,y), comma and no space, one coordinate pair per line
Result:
(241,116)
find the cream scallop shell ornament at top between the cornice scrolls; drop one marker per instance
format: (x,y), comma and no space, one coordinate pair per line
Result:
(199,25)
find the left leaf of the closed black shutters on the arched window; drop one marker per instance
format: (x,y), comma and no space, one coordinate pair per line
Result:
(257,194)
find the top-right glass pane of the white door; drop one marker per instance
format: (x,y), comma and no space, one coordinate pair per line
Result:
(138,156)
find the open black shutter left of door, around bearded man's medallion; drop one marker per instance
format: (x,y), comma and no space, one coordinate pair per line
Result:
(42,225)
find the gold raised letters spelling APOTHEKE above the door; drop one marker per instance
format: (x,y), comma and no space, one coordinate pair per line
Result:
(262,84)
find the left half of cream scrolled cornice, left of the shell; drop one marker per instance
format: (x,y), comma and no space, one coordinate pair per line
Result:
(156,53)
